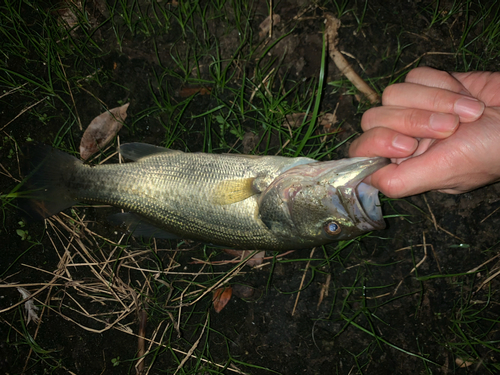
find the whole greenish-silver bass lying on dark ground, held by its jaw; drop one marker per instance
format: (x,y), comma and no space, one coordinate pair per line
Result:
(237,201)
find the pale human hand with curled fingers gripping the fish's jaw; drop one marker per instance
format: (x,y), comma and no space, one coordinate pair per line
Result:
(441,131)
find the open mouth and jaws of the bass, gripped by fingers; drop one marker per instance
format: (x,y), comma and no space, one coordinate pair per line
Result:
(360,200)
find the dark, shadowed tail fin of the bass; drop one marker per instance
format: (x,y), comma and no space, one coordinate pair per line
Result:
(46,189)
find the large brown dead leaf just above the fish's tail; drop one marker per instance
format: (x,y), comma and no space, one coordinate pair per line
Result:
(102,130)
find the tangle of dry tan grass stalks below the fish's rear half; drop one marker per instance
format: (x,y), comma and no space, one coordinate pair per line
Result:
(117,279)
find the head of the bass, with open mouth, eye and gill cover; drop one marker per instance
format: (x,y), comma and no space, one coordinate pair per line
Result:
(321,202)
